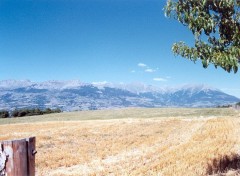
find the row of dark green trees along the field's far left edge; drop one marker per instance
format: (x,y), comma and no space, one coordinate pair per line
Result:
(27,112)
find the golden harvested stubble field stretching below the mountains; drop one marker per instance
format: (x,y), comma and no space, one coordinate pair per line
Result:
(133,142)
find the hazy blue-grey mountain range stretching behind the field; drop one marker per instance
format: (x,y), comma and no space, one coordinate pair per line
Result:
(75,95)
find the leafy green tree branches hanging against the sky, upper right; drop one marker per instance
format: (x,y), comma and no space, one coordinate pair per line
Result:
(215,25)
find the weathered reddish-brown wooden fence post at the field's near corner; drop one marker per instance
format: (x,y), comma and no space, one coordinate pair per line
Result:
(18,157)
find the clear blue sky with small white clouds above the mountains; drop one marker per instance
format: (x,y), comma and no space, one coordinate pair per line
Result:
(99,40)
